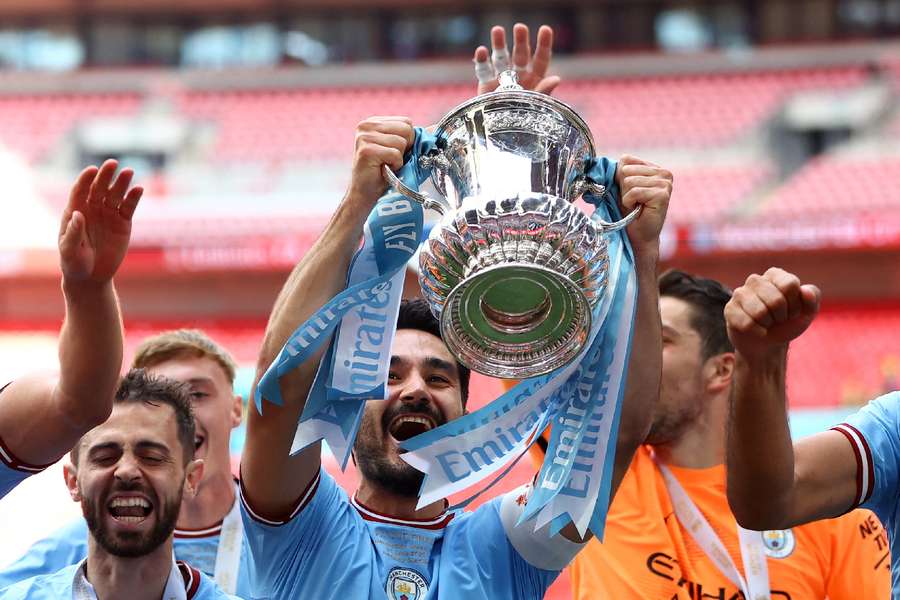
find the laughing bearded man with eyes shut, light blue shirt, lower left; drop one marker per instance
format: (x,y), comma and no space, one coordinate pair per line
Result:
(129,475)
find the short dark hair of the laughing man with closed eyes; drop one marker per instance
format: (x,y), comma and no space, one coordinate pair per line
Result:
(138,386)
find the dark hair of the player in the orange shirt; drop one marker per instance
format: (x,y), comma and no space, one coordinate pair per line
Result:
(707,298)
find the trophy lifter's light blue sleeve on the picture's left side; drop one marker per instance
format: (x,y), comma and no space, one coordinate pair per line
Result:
(280,550)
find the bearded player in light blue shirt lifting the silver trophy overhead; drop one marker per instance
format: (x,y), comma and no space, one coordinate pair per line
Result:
(307,538)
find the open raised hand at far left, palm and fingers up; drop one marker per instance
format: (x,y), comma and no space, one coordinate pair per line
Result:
(96,224)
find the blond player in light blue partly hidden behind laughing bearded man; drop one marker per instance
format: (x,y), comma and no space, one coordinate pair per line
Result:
(209,532)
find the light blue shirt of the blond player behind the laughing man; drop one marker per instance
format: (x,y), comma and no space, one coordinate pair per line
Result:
(68,546)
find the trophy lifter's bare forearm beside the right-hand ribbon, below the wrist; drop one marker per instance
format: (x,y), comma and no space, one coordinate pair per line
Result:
(644,368)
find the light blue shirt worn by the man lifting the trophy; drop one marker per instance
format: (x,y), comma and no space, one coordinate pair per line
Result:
(334,547)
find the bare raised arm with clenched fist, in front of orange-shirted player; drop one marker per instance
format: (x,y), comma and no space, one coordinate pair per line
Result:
(773,483)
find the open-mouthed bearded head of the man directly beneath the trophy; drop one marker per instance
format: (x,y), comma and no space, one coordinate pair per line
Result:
(423,393)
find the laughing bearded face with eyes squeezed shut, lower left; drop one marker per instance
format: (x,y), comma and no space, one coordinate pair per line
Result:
(130,478)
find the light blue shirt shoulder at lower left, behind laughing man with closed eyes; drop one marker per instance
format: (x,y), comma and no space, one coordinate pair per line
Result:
(65,546)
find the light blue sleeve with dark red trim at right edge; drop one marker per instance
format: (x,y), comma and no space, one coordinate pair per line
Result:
(874,436)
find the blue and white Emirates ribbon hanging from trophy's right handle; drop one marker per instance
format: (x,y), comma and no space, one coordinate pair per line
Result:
(582,400)
